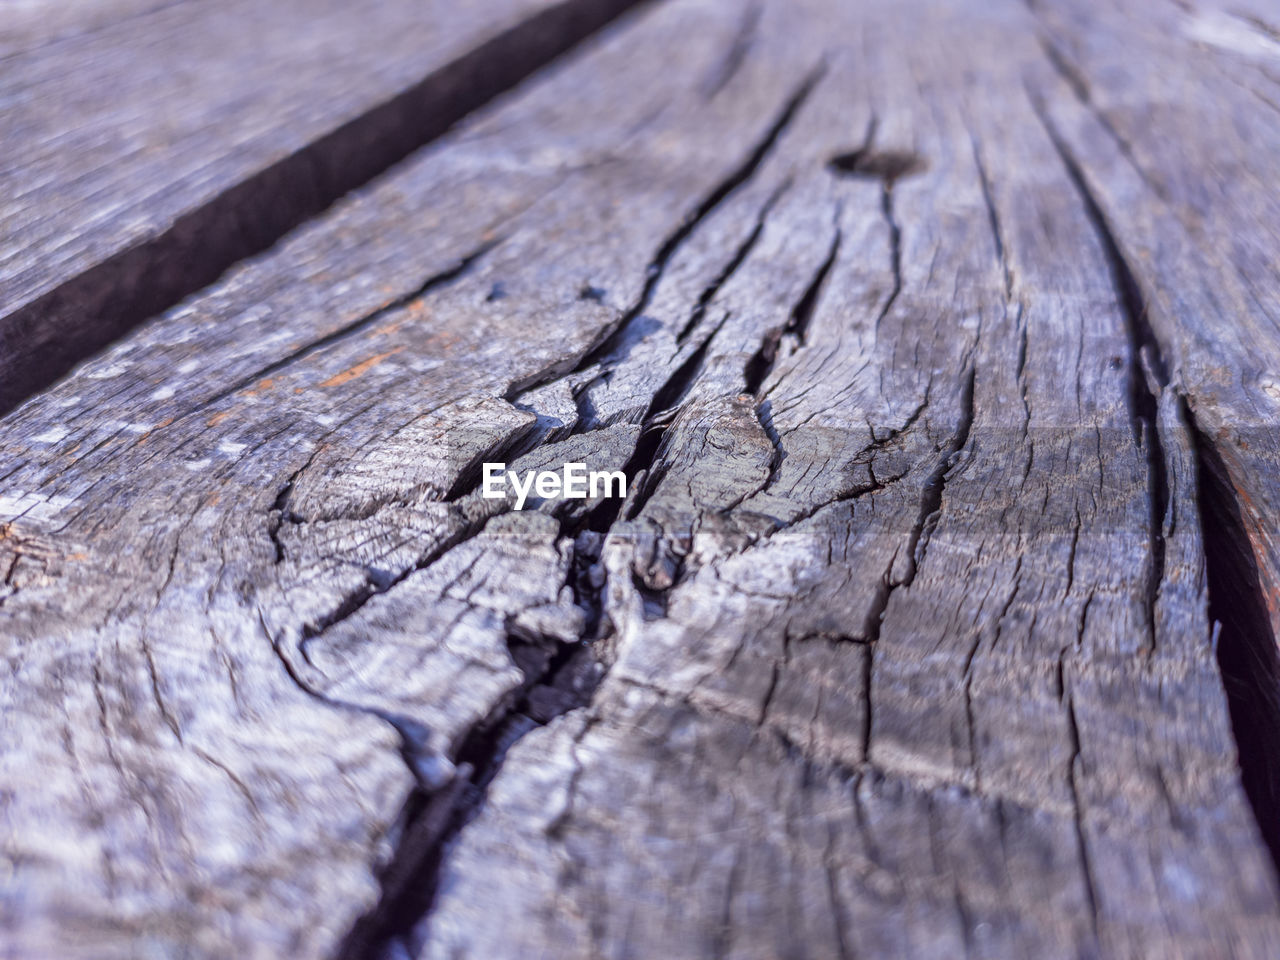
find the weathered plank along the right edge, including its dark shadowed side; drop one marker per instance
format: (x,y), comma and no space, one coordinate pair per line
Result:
(1194,231)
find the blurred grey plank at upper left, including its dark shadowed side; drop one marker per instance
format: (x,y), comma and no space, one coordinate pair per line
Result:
(159,150)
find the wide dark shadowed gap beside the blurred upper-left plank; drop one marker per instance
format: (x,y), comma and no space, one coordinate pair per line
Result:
(44,340)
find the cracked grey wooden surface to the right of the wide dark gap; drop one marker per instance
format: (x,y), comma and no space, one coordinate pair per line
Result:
(938,344)
